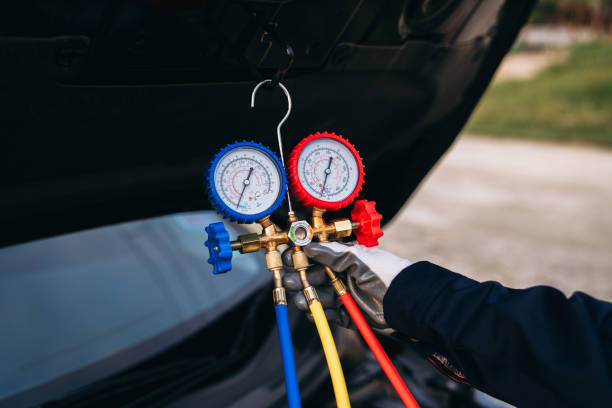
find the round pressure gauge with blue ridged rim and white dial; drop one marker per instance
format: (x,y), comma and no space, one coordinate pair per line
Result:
(245,182)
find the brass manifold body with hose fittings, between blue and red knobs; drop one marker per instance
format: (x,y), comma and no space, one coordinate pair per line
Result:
(272,236)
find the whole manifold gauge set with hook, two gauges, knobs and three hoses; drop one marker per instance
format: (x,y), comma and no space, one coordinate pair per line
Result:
(246,182)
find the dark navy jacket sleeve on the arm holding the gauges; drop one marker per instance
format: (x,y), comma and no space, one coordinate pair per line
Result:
(529,347)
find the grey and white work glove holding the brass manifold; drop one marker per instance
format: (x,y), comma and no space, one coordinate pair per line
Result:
(367,271)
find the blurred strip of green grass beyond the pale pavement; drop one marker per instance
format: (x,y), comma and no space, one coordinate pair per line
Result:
(571,101)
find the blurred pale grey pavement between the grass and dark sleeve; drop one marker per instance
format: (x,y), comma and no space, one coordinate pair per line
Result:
(522,213)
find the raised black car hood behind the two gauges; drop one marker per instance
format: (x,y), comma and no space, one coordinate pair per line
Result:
(111,110)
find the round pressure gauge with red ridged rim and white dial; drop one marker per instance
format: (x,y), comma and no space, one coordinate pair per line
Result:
(325,171)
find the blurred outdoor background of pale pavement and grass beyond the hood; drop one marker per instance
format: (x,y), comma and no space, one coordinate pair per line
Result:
(525,194)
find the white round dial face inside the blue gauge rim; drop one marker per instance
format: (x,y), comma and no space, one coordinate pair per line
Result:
(248,180)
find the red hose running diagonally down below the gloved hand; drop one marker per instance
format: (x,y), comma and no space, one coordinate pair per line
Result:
(379,353)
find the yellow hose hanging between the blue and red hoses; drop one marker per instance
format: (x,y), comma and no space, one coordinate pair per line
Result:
(333,362)
